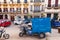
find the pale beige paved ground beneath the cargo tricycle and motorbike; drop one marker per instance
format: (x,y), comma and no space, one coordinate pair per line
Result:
(14,30)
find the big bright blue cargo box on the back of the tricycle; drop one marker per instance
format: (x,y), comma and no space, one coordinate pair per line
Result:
(41,25)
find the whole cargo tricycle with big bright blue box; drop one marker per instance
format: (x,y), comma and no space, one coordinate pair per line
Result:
(40,26)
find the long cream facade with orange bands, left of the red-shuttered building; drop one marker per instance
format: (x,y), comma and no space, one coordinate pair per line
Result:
(11,9)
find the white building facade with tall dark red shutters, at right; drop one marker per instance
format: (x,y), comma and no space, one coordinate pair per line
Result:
(52,9)
